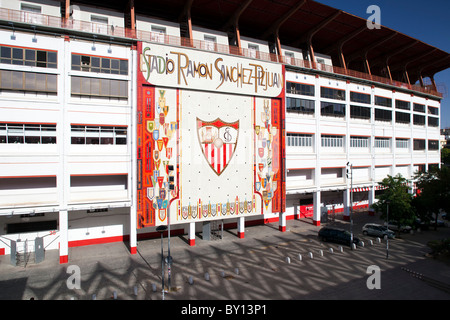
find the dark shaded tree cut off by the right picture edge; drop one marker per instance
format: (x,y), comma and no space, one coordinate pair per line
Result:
(433,193)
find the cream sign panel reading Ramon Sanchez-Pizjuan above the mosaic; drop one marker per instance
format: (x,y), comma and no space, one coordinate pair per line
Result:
(176,67)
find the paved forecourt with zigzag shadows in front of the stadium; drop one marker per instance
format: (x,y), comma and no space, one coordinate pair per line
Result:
(266,265)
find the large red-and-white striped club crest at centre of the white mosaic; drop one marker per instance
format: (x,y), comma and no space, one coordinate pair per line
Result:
(218,141)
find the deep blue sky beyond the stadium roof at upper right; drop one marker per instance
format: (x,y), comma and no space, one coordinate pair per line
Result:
(427,21)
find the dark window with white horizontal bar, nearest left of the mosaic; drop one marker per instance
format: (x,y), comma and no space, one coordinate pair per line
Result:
(114,135)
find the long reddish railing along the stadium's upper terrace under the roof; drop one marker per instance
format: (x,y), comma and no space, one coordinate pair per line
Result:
(16,16)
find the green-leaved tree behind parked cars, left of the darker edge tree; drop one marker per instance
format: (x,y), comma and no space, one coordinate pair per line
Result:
(396,194)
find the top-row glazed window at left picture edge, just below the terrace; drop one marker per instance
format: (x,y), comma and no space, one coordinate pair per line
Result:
(28,57)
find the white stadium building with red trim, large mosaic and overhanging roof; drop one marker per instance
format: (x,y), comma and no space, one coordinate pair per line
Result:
(119,117)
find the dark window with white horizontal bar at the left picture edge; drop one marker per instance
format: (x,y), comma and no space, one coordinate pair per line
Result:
(33,133)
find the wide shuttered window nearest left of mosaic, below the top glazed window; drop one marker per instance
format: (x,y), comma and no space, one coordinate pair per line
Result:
(106,88)
